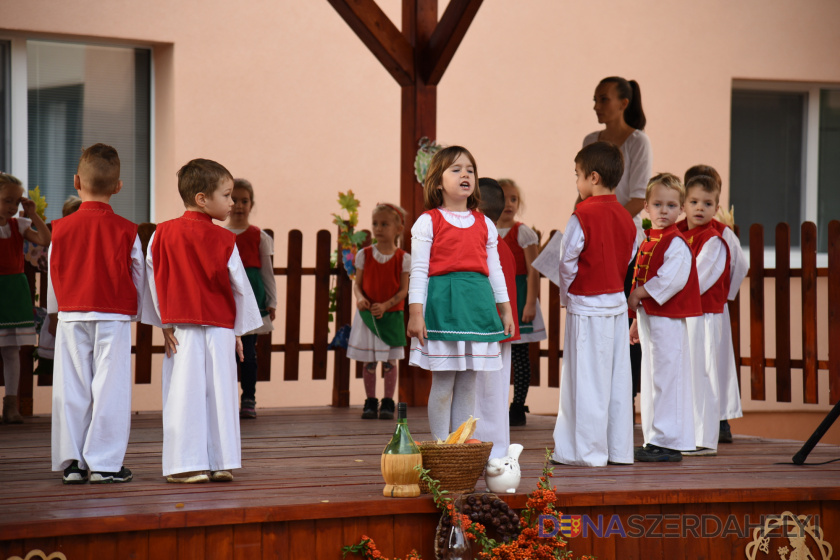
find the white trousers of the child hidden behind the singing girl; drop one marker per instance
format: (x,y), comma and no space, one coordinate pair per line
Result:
(492,394)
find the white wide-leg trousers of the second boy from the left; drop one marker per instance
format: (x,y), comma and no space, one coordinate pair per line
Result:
(200,394)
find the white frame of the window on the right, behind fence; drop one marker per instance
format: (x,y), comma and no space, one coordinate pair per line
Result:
(810,159)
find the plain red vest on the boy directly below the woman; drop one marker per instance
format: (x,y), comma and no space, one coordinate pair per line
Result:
(609,233)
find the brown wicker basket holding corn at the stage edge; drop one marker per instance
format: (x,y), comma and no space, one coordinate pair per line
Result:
(456,465)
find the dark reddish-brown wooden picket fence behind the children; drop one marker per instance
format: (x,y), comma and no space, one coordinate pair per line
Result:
(757,360)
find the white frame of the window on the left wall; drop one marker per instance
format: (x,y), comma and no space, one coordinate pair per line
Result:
(19,121)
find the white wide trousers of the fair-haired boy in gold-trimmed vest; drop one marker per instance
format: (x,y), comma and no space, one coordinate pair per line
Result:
(666,396)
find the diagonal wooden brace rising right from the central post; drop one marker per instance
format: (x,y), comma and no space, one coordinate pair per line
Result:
(446,38)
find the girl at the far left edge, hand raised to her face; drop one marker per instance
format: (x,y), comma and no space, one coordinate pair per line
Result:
(17,323)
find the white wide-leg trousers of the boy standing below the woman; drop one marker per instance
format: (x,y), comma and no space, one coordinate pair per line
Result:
(595,418)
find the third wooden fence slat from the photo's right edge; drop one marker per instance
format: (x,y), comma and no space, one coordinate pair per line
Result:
(783,313)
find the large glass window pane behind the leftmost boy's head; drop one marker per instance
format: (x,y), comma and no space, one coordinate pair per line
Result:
(80,95)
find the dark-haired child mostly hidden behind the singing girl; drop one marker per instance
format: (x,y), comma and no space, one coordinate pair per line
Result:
(492,390)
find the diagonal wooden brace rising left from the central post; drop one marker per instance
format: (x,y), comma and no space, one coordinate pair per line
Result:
(380,35)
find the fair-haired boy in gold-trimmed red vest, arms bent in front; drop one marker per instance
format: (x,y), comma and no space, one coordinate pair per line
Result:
(666,292)
